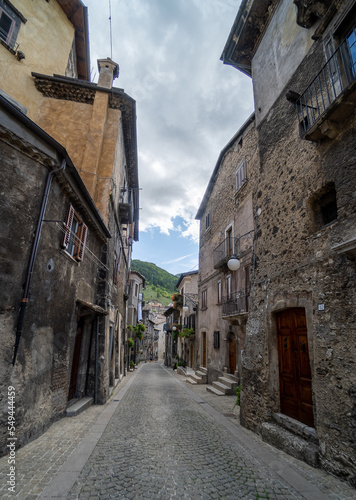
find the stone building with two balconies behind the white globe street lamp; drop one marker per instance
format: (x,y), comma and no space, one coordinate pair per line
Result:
(226,231)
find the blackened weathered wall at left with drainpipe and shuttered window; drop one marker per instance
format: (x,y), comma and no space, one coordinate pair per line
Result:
(42,370)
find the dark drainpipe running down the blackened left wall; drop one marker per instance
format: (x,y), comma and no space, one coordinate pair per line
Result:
(33,257)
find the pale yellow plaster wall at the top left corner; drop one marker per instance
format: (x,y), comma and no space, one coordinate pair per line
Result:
(46,40)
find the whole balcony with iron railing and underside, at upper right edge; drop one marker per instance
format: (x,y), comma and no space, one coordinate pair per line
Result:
(331,96)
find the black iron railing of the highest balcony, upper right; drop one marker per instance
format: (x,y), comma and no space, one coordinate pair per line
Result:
(337,74)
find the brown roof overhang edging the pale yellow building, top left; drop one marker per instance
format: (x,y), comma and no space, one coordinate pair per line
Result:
(77,14)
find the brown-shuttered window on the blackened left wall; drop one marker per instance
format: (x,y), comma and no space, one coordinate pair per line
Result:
(75,234)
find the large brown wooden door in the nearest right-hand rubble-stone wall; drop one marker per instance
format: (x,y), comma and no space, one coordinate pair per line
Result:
(294,366)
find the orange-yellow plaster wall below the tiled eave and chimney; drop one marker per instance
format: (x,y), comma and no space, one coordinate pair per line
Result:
(92,136)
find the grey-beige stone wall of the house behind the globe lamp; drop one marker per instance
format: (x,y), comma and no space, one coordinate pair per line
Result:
(227,209)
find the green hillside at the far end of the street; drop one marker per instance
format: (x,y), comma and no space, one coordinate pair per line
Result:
(160,284)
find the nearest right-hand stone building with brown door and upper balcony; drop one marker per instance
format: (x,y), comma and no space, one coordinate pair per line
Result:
(297,365)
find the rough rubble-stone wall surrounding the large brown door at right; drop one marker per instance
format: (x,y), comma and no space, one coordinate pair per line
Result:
(296,266)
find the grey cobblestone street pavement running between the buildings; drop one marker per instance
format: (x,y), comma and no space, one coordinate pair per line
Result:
(160,439)
